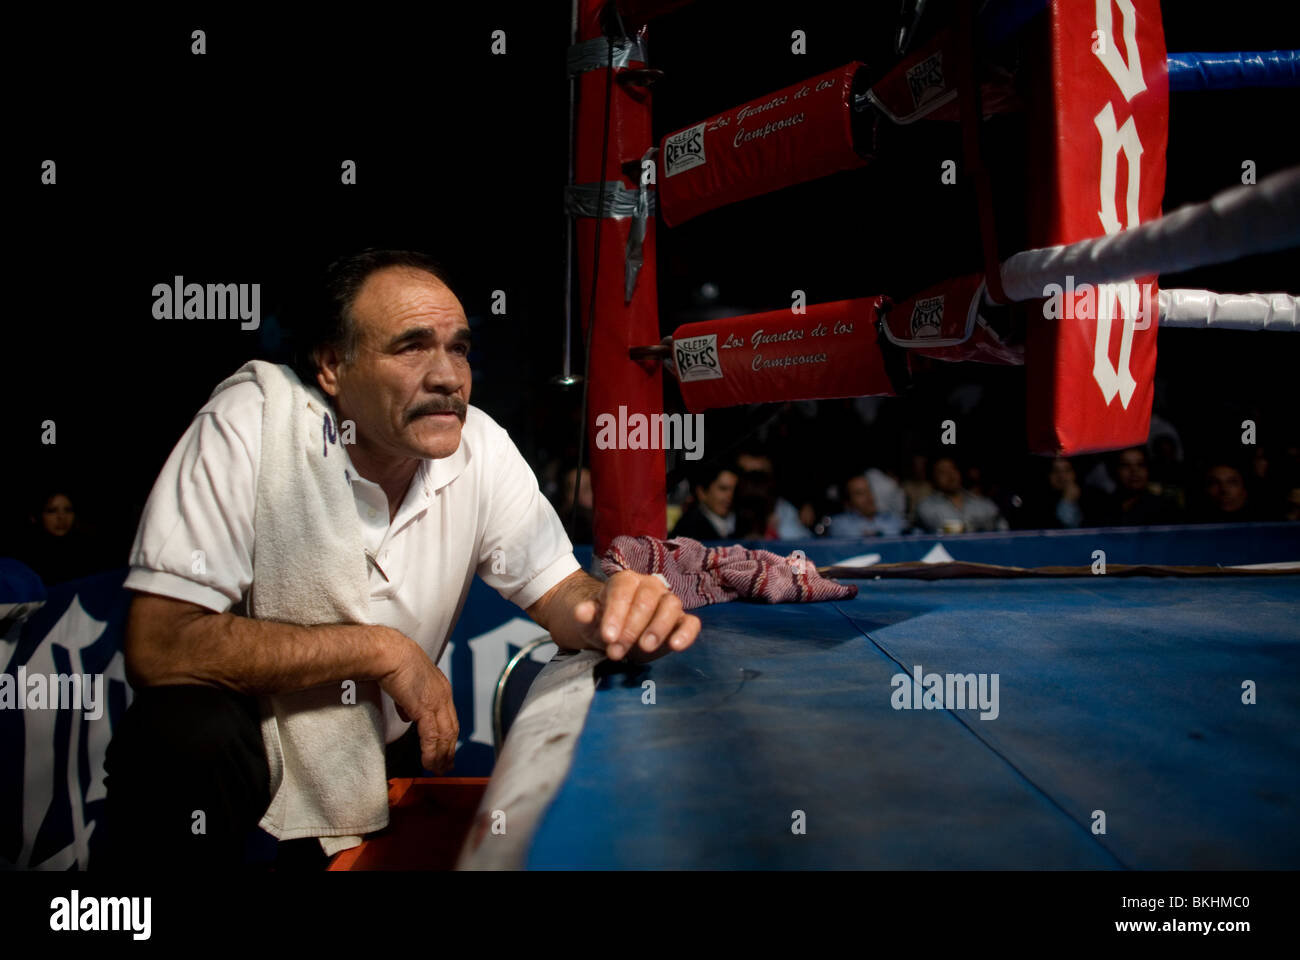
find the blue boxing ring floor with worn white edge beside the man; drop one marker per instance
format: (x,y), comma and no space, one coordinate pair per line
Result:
(1120,708)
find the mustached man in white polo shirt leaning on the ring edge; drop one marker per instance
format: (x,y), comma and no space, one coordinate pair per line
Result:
(441,494)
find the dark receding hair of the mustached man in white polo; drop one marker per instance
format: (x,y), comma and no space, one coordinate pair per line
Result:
(323,312)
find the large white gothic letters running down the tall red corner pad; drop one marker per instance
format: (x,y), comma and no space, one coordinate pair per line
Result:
(1119,379)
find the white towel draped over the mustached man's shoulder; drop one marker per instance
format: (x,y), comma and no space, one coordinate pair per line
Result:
(328,775)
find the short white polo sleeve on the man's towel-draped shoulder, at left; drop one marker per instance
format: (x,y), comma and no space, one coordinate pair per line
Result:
(197,534)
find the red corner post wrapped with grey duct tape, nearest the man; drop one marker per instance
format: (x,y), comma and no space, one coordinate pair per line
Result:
(629,486)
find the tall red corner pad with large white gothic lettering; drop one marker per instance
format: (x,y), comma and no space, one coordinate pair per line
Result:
(1099,118)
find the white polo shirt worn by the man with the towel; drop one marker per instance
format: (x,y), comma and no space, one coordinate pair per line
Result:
(475,512)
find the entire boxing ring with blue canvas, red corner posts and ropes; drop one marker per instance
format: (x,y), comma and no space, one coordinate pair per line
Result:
(1123,721)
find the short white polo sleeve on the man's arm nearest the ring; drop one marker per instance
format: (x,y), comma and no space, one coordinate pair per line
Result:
(525,550)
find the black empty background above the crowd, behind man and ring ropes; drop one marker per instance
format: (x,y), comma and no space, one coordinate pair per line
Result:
(226,168)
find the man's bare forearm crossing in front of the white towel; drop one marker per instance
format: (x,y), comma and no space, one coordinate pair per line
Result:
(253,656)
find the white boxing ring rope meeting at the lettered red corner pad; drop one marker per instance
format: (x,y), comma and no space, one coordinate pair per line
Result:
(1256,219)
